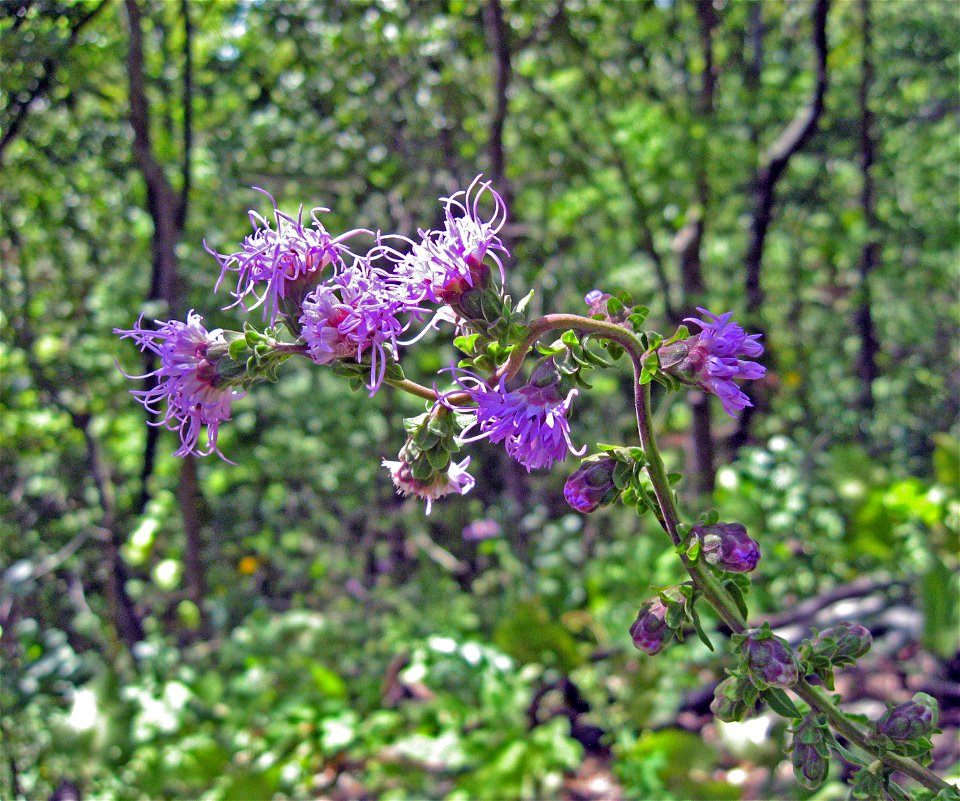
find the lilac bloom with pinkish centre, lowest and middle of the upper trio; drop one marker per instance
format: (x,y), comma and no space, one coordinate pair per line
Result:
(353,312)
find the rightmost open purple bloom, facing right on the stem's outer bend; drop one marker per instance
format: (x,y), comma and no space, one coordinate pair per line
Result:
(714,358)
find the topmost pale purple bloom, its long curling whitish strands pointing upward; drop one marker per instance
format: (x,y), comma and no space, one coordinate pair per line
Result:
(446,263)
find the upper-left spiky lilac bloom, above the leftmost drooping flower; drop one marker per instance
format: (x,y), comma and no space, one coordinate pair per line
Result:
(272,259)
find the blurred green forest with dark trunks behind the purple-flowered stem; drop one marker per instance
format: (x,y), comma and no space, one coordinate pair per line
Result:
(288,627)
